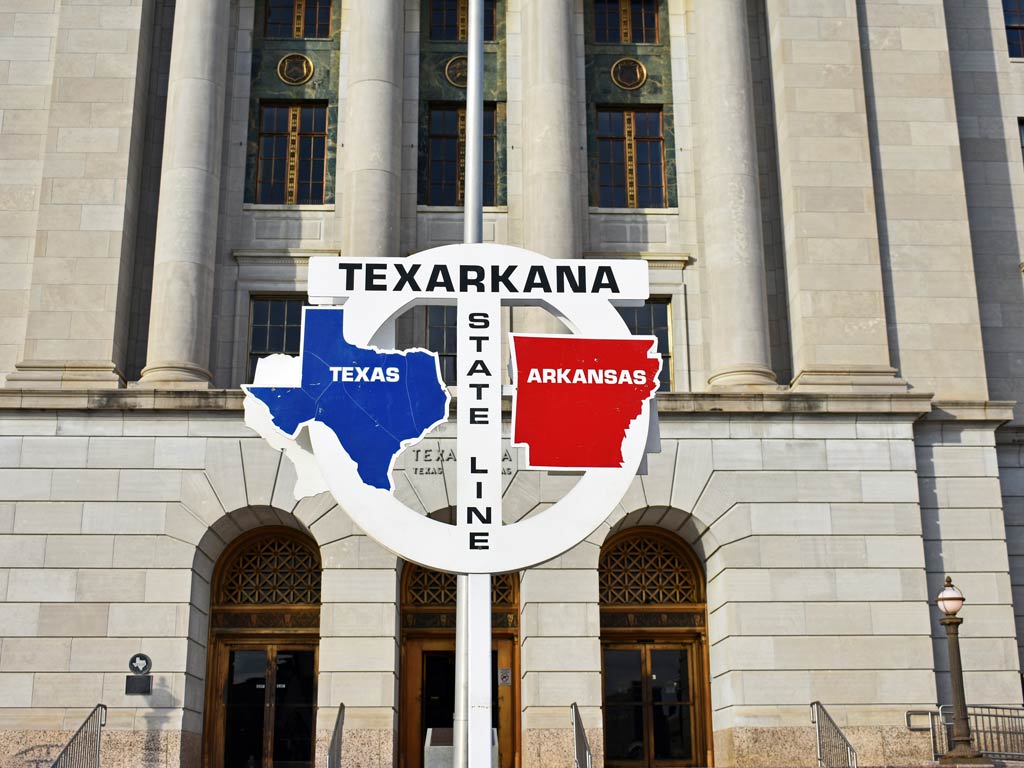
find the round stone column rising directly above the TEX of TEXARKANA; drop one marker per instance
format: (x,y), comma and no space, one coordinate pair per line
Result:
(371,180)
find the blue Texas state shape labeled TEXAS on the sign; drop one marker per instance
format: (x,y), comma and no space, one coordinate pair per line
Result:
(377,403)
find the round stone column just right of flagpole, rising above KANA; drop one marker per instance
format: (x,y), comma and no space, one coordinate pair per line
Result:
(550,178)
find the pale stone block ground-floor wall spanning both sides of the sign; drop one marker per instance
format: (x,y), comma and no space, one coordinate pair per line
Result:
(821,536)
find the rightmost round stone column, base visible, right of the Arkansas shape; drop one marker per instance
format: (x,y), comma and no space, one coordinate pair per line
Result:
(734,248)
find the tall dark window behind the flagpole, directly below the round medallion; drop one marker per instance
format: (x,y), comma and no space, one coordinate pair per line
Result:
(447,149)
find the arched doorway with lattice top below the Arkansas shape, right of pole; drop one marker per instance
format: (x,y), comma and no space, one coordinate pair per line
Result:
(654,653)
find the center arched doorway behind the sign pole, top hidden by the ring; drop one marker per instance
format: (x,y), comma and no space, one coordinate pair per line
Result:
(429,662)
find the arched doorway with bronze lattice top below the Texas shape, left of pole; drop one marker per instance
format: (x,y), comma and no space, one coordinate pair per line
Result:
(262,670)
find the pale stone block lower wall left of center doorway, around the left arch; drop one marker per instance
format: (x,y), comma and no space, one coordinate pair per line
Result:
(111,524)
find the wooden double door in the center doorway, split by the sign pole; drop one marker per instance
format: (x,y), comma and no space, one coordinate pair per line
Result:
(429,696)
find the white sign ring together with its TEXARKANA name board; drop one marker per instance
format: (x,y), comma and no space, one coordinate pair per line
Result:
(588,313)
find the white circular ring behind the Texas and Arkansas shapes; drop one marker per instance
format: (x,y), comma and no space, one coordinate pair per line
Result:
(516,546)
